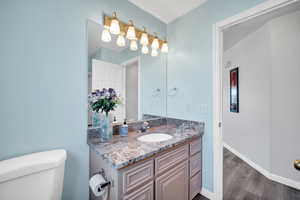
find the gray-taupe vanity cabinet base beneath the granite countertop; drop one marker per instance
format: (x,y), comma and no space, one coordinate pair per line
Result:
(173,174)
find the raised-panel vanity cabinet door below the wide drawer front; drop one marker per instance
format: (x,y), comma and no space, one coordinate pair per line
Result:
(173,184)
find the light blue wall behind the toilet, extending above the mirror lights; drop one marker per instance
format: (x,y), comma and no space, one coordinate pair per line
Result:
(43,78)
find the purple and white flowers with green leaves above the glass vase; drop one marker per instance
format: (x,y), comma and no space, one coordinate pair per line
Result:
(104,100)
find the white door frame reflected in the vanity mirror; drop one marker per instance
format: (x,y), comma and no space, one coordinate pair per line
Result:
(138,59)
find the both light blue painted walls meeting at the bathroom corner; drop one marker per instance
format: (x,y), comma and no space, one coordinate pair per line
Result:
(43,75)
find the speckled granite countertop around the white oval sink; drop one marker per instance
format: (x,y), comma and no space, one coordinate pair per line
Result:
(123,151)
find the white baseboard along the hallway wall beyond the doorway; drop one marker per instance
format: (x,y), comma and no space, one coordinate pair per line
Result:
(266,173)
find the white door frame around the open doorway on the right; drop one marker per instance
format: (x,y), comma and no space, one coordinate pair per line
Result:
(218,29)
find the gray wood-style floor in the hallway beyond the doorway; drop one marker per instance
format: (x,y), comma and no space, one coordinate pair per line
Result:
(242,182)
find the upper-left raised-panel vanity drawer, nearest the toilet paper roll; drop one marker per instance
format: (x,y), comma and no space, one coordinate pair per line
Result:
(137,175)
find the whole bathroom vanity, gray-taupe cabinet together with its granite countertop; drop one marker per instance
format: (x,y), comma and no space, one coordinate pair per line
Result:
(168,170)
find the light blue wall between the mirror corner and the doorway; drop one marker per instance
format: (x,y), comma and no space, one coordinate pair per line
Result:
(190,68)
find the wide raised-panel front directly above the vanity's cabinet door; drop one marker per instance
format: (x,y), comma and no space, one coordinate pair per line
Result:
(170,159)
